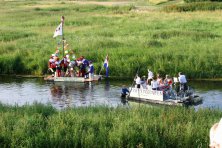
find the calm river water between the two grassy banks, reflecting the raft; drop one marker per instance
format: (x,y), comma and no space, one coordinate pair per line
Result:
(21,91)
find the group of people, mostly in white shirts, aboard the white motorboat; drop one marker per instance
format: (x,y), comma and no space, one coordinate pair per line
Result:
(160,83)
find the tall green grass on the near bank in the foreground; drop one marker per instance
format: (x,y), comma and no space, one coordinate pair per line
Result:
(40,126)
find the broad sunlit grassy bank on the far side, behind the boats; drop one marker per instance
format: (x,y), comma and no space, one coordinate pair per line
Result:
(134,38)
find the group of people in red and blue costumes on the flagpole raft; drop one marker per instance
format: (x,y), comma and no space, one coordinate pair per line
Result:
(70,66)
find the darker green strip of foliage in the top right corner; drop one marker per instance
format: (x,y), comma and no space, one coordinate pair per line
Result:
(194,6)
